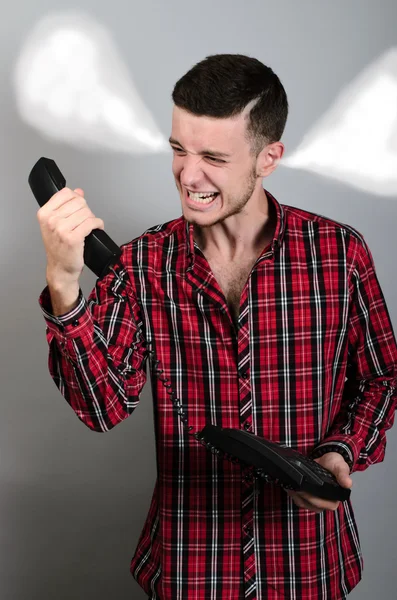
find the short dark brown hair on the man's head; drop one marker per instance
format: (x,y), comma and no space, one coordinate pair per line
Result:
(222,85)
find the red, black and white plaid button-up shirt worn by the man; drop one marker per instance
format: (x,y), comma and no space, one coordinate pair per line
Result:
(311,364)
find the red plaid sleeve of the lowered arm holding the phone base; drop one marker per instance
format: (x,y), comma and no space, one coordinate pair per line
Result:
(369,397)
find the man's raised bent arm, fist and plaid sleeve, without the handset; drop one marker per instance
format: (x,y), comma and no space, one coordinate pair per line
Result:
(96,349)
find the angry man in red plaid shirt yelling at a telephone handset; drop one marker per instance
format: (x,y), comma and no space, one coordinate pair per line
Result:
(255,315)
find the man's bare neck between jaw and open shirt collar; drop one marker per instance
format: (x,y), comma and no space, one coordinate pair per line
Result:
(246,233)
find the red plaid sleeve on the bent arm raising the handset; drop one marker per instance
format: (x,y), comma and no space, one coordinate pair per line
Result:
(97,355)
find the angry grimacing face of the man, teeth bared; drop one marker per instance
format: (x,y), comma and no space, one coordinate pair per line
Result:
(194,140)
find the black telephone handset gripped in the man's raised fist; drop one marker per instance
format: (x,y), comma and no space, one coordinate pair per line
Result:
(100,251)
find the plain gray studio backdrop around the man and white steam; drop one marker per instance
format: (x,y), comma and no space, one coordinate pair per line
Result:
(73,502)
